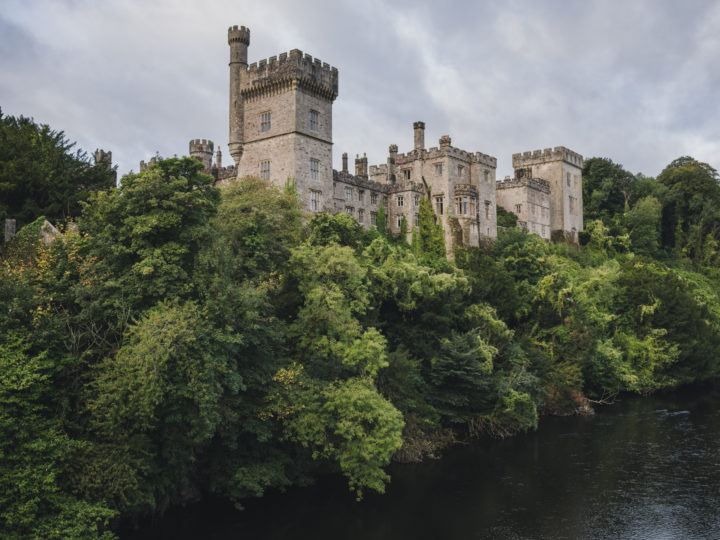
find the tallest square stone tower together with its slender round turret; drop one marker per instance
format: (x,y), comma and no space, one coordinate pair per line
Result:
(281,120)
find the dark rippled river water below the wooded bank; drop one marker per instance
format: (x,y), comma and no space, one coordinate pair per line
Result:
(641,468)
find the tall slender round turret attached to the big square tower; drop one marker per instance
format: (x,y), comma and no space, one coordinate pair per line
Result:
(239,40)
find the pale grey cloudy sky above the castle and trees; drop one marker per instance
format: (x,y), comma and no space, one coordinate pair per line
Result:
(635,80)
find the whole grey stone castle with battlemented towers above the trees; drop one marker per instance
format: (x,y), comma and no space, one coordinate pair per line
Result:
(281,128)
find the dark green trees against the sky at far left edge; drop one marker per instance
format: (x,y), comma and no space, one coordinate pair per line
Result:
(41,175)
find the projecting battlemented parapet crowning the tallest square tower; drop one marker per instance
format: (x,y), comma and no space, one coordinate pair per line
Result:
(288,69)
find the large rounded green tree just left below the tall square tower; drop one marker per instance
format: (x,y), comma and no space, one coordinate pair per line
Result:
(146,235)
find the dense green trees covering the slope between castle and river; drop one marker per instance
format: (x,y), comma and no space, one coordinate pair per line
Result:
(186,340)
